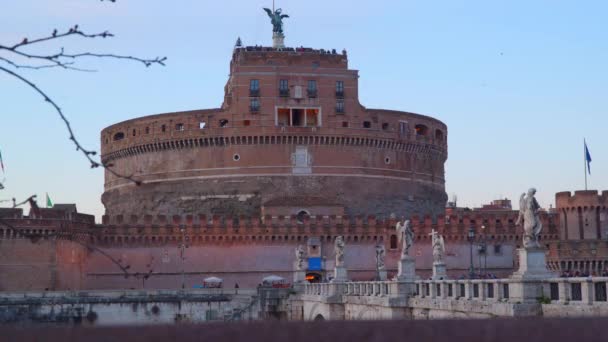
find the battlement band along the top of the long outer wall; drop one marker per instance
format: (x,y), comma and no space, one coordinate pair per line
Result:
(453,227)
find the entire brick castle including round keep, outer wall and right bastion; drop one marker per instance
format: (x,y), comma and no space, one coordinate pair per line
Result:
(290,158)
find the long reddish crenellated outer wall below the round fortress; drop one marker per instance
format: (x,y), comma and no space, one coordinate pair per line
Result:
(171,250)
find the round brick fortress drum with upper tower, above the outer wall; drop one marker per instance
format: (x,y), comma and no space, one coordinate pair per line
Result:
(290,137)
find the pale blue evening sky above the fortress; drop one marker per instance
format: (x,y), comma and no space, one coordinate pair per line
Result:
(520,84)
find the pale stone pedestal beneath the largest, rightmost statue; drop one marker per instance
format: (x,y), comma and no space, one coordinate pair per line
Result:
(526,284)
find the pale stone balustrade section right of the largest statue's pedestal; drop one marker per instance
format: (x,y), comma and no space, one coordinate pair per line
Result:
(590,290)
